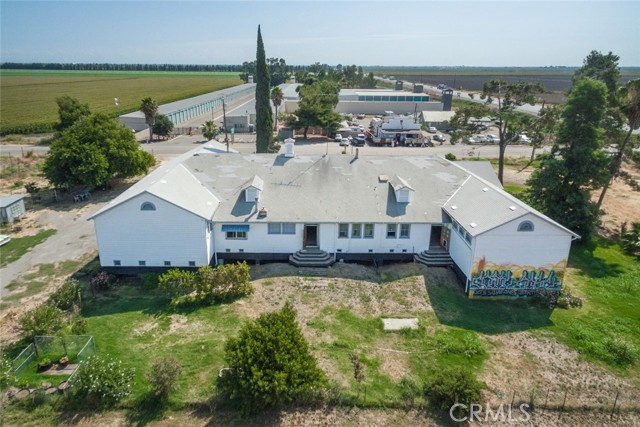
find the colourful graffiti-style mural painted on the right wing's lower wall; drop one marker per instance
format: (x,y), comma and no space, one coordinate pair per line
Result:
(491,280)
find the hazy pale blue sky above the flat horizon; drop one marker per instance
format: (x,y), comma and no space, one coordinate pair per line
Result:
(396,33)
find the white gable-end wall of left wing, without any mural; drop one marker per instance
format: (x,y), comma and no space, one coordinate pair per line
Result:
(169,233)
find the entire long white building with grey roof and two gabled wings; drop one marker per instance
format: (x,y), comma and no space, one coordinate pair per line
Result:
(208,207)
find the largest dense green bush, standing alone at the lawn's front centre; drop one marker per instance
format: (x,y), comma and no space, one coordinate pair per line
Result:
(269,363)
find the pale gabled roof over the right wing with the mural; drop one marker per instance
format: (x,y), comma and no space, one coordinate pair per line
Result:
(480,206)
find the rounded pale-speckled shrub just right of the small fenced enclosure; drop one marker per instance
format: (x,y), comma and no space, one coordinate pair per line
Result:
(102,382)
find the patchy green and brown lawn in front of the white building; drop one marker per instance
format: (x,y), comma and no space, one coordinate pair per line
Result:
(136,325)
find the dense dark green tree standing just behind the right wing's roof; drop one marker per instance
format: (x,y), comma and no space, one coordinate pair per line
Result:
(562,187)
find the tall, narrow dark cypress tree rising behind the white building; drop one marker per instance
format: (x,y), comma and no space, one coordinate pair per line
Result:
(264,119)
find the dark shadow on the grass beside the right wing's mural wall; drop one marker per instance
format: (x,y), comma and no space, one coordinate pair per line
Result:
(452,307)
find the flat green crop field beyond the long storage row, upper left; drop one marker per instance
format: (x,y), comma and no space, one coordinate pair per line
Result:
(28,97)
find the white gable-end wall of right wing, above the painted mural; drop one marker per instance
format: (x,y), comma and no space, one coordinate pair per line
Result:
(547,244)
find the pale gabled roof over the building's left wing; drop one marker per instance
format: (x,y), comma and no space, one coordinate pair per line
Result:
(175,185)
